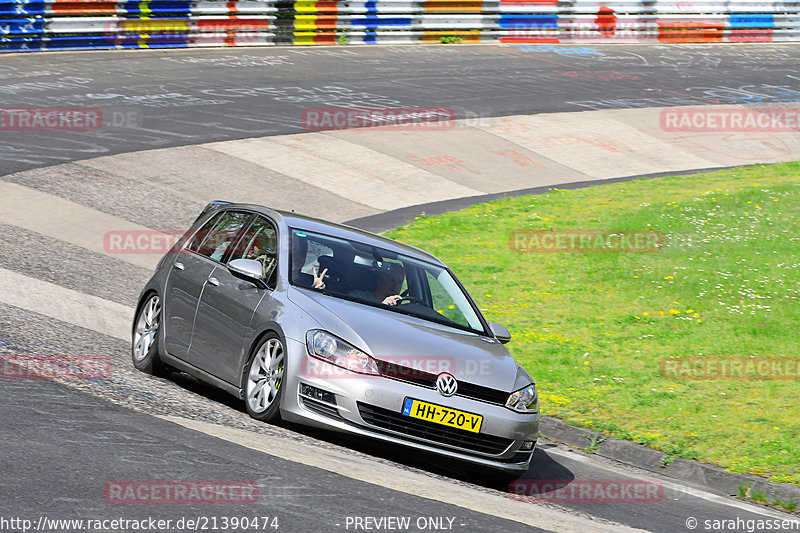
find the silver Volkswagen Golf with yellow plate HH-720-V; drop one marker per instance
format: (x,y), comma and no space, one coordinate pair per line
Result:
(330,326)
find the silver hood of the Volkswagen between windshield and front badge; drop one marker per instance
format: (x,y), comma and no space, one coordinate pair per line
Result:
(413,342)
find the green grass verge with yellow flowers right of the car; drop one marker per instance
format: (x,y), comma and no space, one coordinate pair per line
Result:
(596,330)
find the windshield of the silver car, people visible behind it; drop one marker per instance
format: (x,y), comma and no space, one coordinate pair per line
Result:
(381,278)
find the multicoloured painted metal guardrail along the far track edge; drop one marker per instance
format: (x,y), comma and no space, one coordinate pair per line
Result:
(66,25)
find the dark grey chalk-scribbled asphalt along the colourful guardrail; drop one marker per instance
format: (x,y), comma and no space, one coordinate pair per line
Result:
(154,99)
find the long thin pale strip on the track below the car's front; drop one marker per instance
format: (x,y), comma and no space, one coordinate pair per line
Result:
(409,482)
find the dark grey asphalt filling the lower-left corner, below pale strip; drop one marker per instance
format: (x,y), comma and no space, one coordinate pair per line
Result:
(88,443)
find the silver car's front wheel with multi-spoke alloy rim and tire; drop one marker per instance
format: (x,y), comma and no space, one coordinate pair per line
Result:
(264,379)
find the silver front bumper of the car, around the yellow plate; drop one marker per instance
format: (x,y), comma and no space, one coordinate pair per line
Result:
(372,406)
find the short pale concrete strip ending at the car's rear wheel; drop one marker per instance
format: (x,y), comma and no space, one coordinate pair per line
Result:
(66,305)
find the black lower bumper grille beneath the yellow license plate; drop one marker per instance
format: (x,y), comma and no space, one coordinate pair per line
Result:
(432,433)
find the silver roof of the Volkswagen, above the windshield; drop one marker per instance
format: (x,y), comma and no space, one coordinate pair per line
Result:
(317,225)
